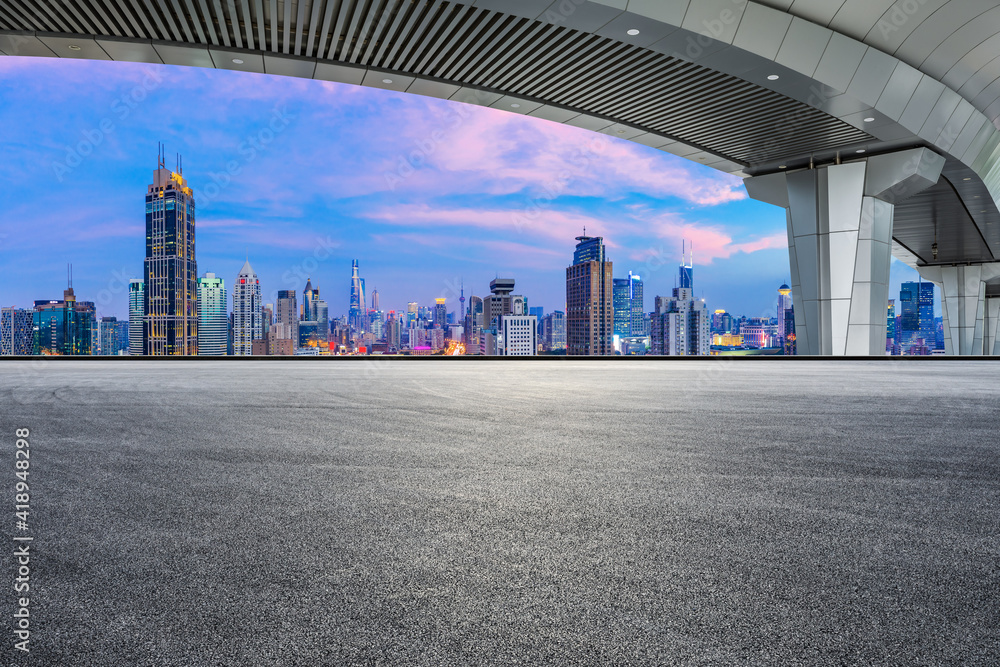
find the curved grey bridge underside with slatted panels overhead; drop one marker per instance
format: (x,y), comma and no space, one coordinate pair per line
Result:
(744,87)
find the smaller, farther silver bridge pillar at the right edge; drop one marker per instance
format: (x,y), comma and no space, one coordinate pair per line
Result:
(968,327)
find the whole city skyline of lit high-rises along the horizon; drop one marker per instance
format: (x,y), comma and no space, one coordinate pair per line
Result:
(174,311)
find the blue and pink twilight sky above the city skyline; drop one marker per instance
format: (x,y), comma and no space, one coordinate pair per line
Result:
(303,176)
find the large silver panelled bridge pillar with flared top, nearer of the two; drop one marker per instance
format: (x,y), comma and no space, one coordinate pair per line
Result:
(839,223)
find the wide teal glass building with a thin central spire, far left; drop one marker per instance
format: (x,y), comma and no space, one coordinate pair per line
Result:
(63,327)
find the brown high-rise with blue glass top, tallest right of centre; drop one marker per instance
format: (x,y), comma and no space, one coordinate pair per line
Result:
(589,304)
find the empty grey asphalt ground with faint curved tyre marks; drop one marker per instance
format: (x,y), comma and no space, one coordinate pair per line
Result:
(565,513)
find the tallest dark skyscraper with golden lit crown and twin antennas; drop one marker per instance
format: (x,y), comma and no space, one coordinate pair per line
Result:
(171,272)
